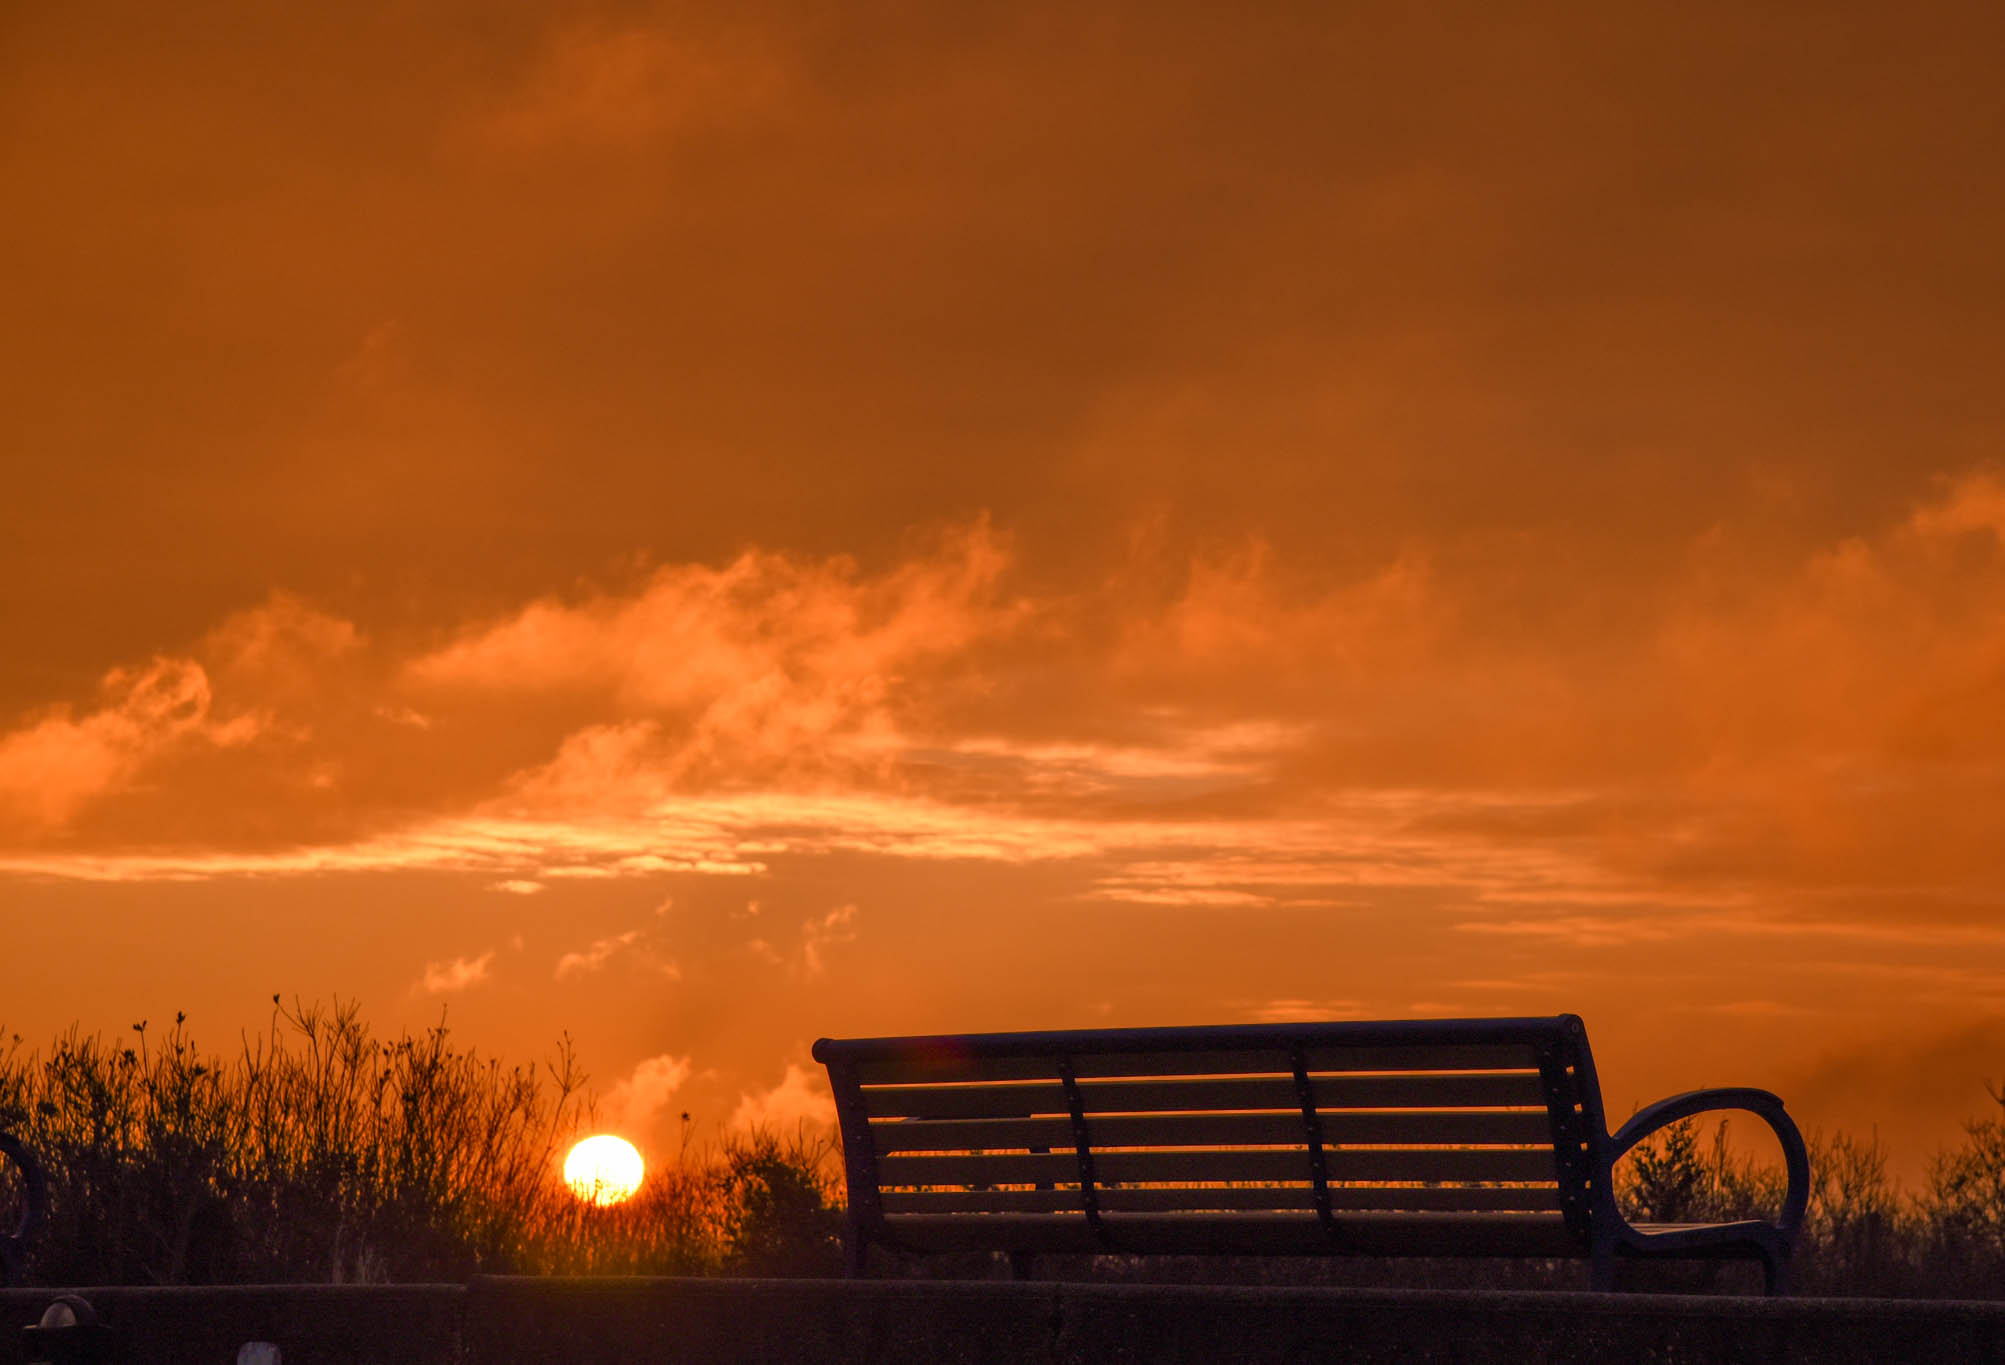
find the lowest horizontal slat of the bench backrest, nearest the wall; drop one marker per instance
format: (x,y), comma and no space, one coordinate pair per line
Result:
(1276,1234)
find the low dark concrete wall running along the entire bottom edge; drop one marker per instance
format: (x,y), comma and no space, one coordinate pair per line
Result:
(719,1322)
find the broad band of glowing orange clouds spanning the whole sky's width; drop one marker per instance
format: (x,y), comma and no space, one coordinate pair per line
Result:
(1226,731)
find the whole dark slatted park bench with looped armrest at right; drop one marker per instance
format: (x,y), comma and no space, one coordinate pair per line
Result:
(1402,1140)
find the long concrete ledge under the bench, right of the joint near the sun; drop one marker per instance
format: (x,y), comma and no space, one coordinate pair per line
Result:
(1046,1324)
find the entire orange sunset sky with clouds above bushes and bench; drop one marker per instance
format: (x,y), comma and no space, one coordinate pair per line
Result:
(709,526)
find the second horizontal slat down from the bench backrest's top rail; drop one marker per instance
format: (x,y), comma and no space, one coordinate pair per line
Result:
(1250,1093)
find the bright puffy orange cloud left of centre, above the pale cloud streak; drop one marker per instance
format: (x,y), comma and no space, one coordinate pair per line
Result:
(769,666)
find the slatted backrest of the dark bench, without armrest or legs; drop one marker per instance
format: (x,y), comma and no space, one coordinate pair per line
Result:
(1234,1125)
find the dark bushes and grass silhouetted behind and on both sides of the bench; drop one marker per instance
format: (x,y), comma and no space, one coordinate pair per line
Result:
(322,1154)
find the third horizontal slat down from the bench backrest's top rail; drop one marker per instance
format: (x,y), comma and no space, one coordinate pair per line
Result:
(1176,1129)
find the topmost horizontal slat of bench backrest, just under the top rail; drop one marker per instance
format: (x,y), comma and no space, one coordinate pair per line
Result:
(949,1065)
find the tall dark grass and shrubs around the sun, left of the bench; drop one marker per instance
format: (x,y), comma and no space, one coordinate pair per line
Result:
(324,1154)
